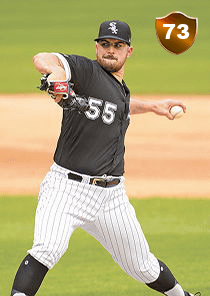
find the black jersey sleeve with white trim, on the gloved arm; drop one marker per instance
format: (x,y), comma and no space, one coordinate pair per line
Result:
(78,70)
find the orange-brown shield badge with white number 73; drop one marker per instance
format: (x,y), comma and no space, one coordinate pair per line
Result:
(176,32)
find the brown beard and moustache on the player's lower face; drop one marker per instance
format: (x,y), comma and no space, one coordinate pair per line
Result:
(110,63)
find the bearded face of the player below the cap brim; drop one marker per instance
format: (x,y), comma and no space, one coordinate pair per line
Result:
(111,54)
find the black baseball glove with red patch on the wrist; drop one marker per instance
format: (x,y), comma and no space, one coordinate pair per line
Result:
(70,101)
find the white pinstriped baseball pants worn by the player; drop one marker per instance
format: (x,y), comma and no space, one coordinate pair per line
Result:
(105,213)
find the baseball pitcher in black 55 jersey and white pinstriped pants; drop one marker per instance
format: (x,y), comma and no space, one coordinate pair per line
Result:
(85,185)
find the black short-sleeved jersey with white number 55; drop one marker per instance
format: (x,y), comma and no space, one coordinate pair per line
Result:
(93,142)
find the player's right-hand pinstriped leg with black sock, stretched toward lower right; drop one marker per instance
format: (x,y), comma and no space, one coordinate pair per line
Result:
(119,231)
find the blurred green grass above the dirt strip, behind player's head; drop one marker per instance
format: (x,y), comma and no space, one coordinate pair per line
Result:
(29,27)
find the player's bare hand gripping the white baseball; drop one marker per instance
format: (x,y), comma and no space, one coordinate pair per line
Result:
(163,107)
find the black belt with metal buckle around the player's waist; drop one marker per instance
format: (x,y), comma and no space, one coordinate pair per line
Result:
(96,181)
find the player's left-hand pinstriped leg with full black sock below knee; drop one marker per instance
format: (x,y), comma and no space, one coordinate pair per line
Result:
(53,228)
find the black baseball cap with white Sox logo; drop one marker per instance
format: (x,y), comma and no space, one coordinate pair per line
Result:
(114,30)
